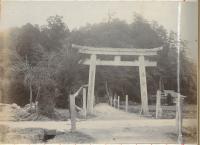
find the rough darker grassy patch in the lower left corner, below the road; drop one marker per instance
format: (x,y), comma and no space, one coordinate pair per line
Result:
(36,135)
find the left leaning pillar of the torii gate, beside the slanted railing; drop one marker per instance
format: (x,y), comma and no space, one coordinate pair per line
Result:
(91,84)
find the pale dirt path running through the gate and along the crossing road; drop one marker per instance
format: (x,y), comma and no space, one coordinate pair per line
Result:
(114,126)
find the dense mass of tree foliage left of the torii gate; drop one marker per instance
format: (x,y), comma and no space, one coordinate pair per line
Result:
(40,64)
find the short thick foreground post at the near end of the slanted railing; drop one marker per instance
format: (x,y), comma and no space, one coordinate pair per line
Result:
(72,113)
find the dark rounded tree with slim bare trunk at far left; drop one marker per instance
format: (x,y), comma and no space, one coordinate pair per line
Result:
(26,52)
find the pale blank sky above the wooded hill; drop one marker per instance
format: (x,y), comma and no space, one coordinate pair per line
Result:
(79,13)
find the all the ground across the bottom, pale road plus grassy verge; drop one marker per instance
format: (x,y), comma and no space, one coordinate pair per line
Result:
(109,125)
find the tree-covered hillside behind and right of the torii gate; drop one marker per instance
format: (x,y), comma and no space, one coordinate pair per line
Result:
(139,34)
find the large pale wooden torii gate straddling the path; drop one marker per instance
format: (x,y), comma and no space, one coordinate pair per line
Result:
(142,63)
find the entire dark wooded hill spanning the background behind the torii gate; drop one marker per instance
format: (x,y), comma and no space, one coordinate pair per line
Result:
(44,67)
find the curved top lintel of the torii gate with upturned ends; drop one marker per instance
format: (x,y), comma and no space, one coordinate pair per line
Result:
(116,51)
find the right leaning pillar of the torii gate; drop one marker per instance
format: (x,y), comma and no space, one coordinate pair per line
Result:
(143,86)
